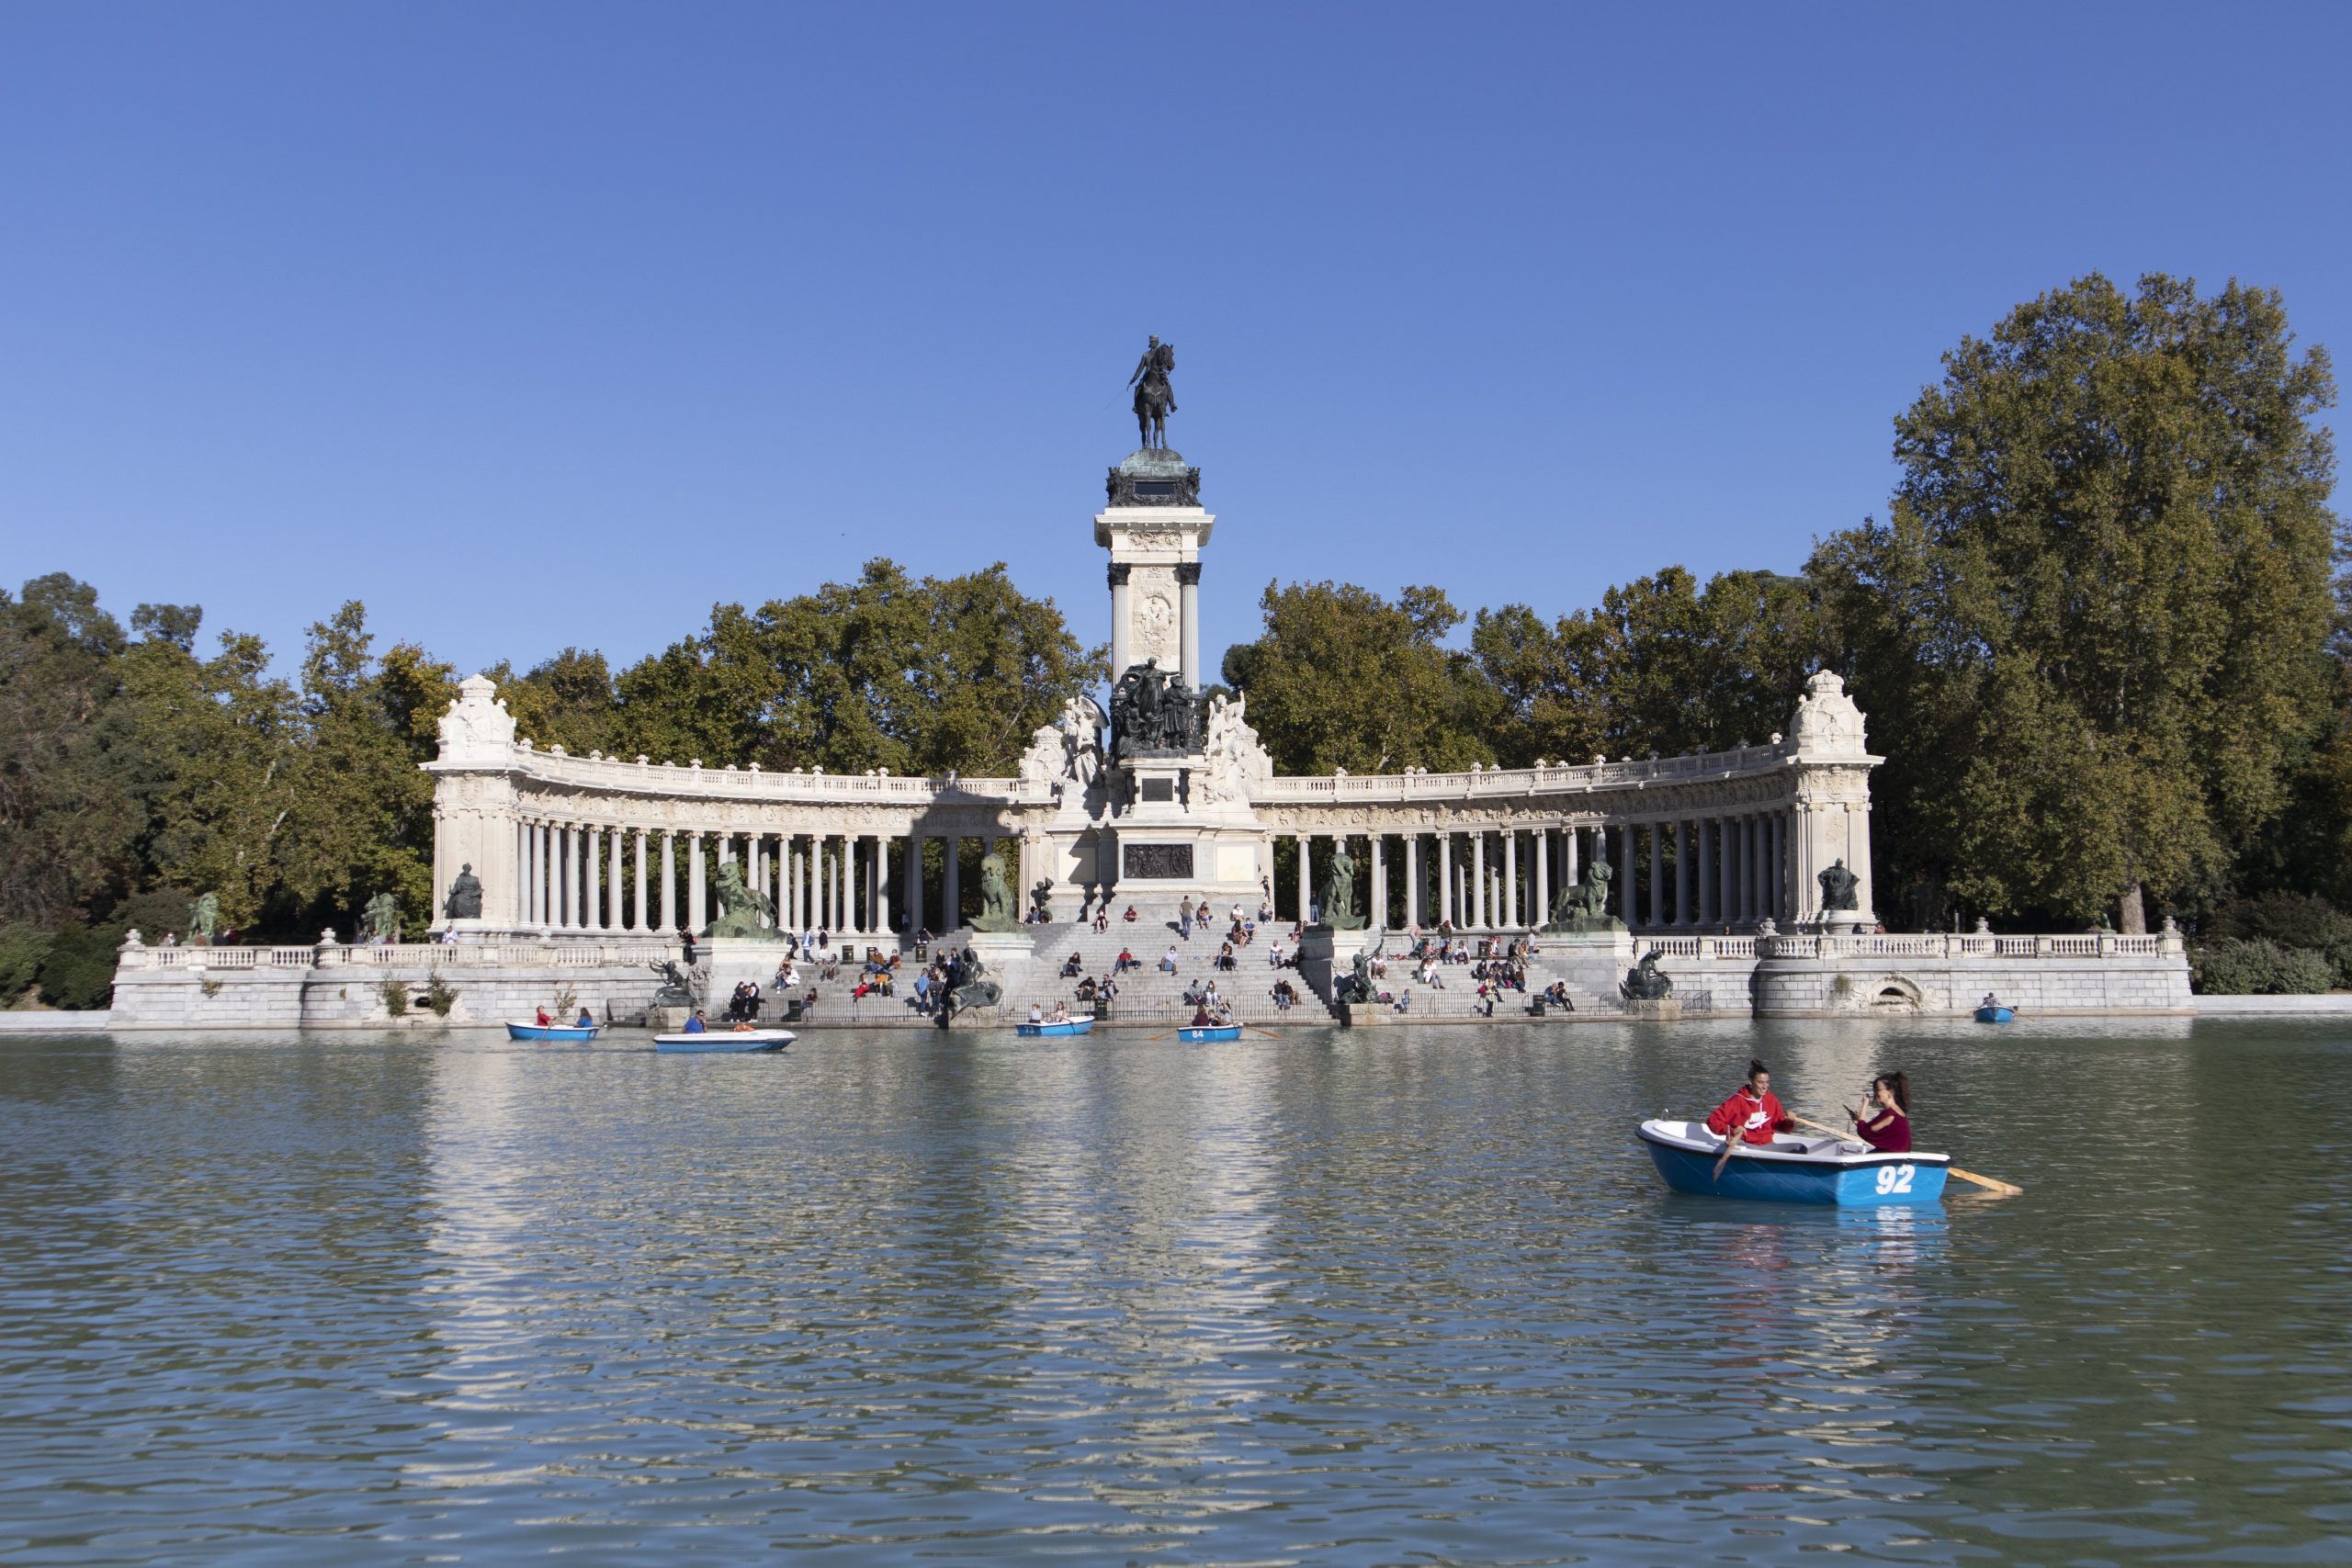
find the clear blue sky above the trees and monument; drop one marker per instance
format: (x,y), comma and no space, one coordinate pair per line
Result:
(542,326)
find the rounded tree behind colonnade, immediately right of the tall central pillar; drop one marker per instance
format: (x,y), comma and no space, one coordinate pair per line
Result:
(1344,678)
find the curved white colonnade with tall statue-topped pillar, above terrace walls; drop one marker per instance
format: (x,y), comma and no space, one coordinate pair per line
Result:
(1161,798)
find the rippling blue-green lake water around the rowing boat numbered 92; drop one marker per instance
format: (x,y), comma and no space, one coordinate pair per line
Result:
(1339,1299)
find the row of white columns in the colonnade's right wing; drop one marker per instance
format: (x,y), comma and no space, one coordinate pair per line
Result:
(1690,873)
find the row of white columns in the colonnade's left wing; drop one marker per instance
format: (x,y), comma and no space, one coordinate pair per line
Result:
(589,878)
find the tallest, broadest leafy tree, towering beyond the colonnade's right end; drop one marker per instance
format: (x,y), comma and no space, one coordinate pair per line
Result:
(2092,629)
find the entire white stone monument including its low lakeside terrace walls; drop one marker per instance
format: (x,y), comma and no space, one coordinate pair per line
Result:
(1744,876)
